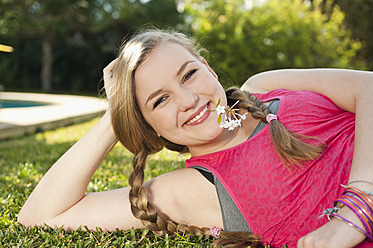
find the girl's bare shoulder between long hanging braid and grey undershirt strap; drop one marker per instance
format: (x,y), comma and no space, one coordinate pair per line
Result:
(185,196)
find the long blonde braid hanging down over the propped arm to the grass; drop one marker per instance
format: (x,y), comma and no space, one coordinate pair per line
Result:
(145,212)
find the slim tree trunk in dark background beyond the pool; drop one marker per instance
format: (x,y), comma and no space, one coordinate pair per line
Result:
(46,63)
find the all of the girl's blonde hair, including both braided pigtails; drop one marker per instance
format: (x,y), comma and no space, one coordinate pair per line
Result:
(140,138)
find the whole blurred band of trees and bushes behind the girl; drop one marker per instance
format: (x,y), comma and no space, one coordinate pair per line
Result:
(62,45)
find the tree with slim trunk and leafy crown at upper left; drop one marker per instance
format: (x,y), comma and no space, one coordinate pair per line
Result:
(48,20)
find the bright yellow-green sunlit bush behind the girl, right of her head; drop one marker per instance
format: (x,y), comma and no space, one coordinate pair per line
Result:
(276,34)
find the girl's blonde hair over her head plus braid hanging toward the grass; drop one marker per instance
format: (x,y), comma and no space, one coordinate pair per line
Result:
(135,133)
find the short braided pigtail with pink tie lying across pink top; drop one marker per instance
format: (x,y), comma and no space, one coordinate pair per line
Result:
(290,146)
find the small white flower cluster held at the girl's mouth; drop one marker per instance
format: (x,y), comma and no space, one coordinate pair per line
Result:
(228,116)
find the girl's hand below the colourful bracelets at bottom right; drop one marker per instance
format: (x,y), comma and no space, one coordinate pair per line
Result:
(335,233)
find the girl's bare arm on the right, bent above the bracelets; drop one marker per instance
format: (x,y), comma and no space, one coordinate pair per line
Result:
(350,90)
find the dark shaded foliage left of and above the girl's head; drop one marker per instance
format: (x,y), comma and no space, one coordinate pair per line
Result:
(83,33)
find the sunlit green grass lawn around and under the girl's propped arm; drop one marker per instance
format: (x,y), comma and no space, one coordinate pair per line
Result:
(23,162)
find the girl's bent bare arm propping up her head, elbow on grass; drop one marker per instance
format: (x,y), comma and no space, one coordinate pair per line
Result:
(60,199)
